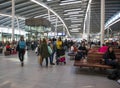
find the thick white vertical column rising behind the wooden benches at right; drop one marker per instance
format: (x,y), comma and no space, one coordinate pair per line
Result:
(102,20)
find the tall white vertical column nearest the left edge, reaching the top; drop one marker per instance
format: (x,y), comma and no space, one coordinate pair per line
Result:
(13,18)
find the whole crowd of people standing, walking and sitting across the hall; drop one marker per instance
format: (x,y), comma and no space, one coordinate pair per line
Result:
(46,49)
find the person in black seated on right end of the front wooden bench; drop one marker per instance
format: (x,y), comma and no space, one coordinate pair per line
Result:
(110,58)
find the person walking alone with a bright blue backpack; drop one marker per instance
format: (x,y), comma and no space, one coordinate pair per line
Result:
(21,50)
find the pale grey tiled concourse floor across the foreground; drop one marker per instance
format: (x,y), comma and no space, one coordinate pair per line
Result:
(12,75)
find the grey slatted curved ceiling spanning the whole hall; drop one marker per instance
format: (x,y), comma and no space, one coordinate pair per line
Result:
(71,11)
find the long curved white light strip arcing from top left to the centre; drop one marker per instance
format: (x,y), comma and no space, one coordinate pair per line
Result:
(45,6)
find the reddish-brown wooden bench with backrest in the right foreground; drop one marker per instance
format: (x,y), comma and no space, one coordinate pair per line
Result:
(94,61)
